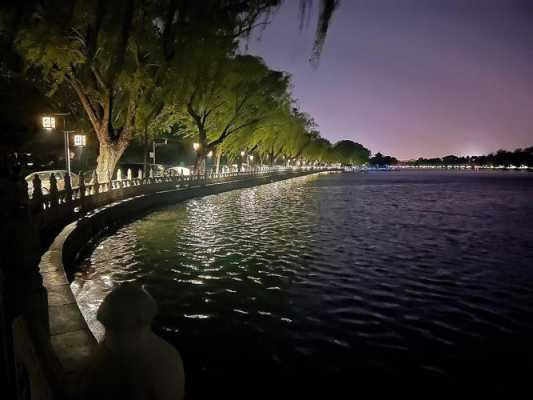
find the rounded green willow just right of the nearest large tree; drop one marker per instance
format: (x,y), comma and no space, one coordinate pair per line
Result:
(230,96)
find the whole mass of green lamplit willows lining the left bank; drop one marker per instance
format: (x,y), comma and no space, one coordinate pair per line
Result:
(158,67)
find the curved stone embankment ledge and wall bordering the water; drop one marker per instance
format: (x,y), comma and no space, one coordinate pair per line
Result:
(70,339)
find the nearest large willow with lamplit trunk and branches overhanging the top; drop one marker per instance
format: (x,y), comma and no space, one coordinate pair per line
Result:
(115,54)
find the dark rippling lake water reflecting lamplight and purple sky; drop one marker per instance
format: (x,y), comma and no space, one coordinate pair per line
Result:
(385,281)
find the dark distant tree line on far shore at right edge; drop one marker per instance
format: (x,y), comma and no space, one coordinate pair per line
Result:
(516,158)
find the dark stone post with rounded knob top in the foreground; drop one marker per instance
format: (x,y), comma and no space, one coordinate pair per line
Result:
(131,361)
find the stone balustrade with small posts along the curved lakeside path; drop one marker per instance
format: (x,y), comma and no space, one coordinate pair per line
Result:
(57,207)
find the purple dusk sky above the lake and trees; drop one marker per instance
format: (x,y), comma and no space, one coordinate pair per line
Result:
(413,78)
